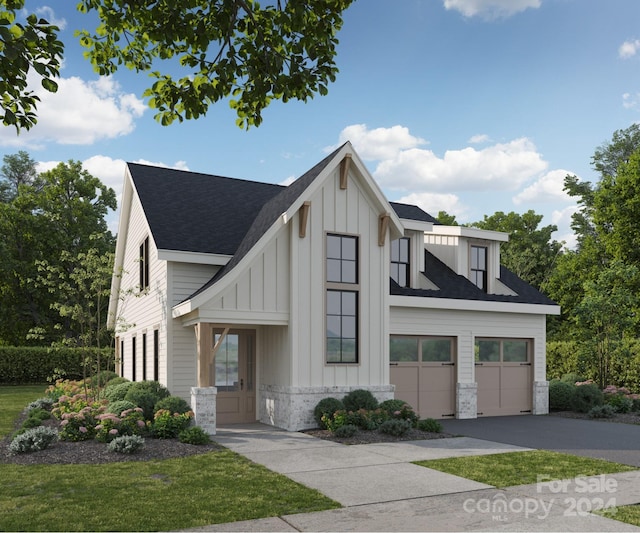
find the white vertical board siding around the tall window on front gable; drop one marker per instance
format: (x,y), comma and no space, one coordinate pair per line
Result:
(348,212)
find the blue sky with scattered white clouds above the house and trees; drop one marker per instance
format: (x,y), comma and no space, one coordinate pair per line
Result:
(467,106)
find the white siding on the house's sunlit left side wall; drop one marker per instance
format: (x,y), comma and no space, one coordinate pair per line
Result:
(142,312)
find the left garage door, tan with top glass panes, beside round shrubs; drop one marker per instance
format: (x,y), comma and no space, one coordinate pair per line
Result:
(423,371)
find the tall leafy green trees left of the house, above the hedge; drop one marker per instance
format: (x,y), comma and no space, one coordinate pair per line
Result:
(52,217)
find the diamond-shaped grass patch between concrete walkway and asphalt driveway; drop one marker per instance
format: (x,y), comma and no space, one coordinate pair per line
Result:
(521,468)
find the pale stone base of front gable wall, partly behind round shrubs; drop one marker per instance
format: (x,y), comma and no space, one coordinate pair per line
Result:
(291,408)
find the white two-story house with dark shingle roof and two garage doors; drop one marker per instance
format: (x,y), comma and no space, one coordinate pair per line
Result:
(255,300)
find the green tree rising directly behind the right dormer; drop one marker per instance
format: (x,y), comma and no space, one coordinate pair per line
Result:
(530,252)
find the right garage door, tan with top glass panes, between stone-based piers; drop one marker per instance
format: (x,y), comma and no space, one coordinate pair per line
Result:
(504,376)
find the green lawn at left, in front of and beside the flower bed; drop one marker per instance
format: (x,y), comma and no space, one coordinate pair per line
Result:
(200,490)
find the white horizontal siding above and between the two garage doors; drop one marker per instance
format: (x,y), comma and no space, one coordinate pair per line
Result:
(466,326)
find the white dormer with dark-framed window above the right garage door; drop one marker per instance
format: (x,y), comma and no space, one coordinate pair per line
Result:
(470,252)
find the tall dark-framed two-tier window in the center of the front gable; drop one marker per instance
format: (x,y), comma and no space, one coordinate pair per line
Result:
(342,299)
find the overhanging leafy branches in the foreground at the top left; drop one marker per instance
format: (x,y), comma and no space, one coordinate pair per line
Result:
(240,49)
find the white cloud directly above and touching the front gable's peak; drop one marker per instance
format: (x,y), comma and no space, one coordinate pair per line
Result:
(379,143)
